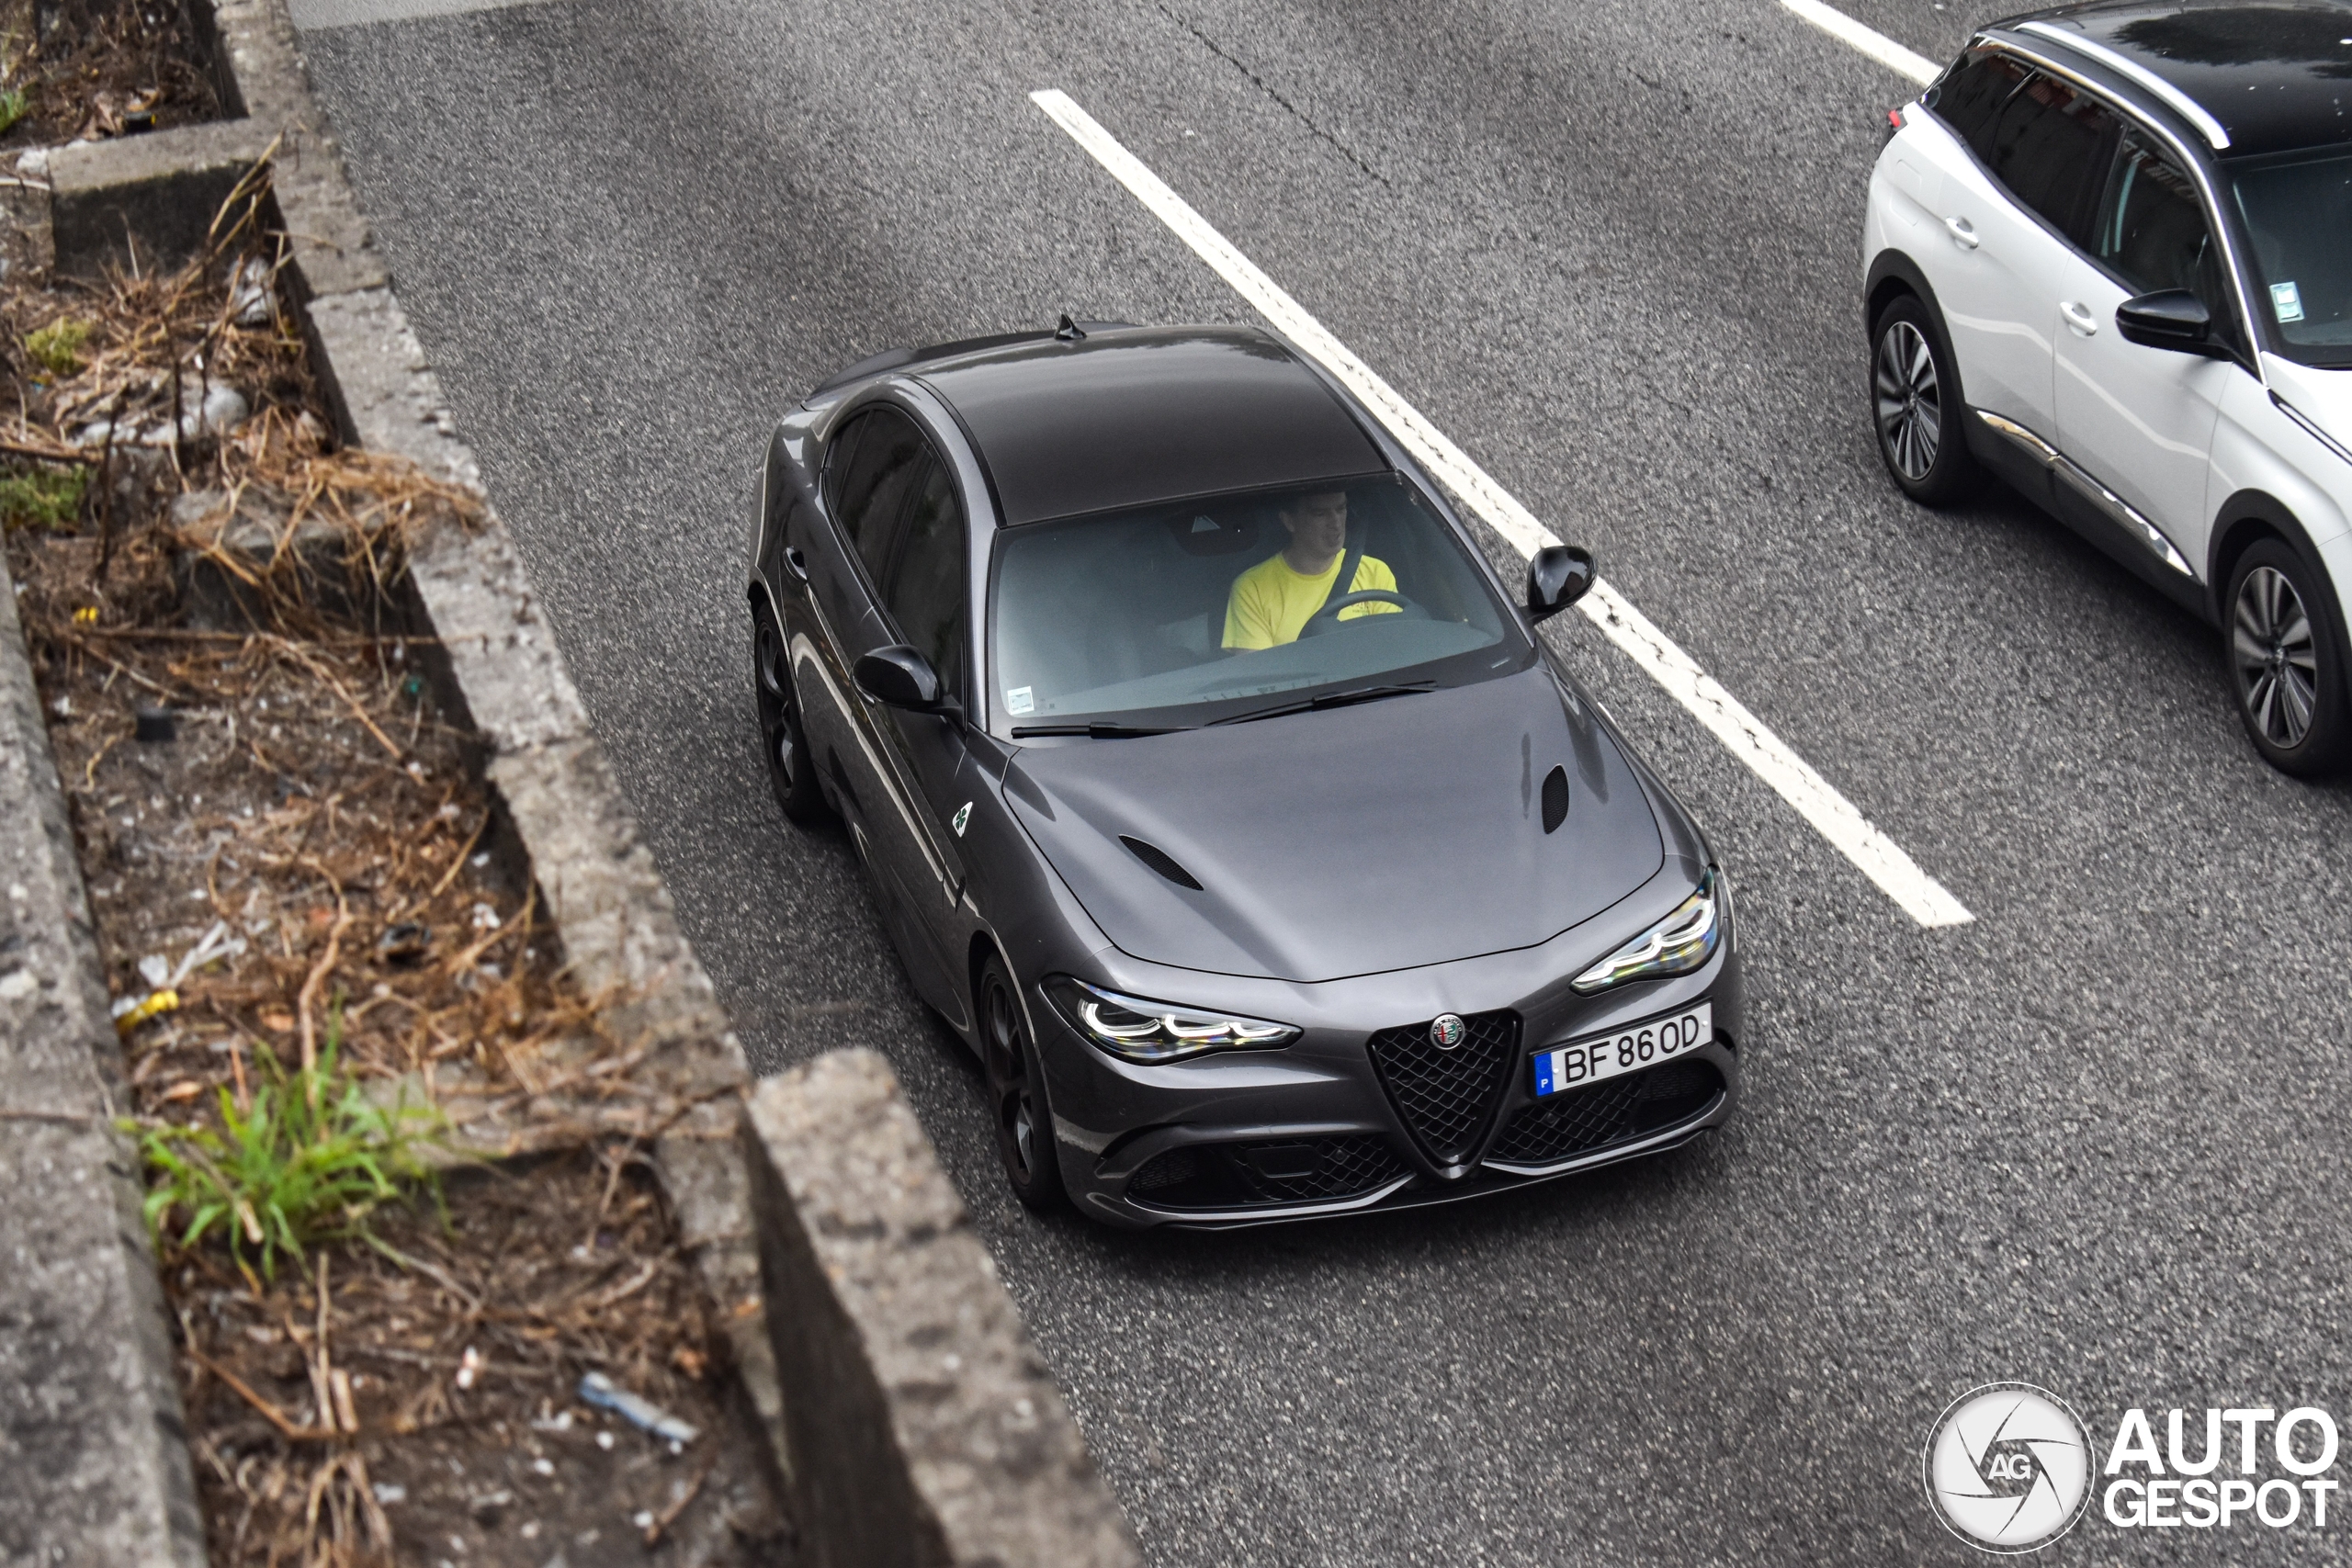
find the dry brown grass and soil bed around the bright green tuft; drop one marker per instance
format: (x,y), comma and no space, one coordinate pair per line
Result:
(319,829)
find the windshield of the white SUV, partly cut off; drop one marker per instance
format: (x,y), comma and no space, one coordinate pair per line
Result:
(2299,215)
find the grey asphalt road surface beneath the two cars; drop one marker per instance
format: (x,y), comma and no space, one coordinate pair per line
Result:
(2090,1141)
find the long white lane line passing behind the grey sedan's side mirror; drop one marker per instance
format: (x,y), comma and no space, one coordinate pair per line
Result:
(1629,629)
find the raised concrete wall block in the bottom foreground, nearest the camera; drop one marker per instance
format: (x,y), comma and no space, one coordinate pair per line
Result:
(926,1423)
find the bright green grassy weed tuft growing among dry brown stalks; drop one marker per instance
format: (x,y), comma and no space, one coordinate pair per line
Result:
(309,1162)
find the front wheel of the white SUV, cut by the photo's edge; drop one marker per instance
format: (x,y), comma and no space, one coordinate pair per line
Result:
(2287,666)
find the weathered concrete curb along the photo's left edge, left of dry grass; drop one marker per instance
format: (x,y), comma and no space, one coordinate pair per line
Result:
(93,1435)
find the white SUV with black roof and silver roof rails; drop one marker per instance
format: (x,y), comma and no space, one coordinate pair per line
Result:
(2111,257)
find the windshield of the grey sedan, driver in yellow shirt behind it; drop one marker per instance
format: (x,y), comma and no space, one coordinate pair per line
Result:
(1215,610)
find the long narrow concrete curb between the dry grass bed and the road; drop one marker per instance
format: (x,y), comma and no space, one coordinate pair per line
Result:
(500,674)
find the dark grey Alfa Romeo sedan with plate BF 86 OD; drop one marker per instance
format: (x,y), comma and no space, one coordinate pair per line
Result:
(1217,793)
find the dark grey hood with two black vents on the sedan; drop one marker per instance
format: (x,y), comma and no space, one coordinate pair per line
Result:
(1347,843)
